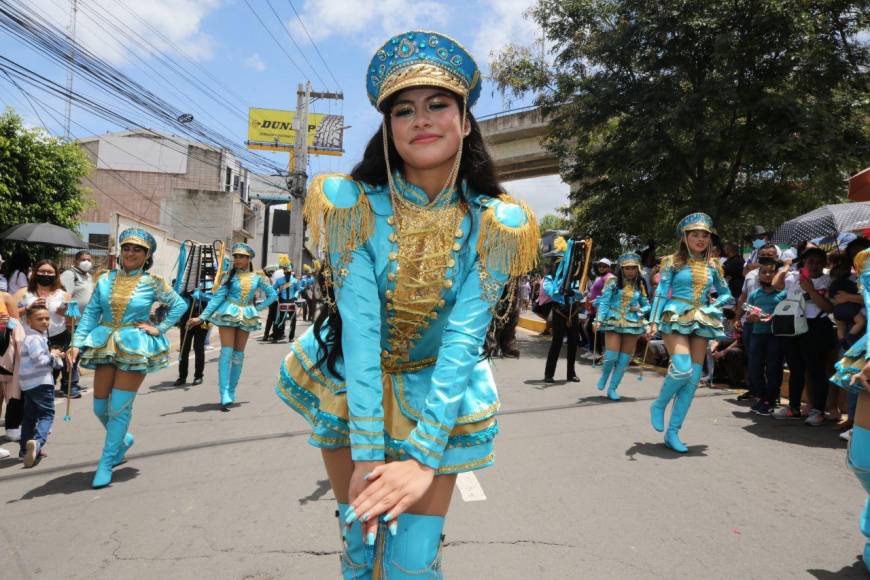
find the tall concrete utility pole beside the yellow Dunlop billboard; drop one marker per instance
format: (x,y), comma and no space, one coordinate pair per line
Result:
(297,180)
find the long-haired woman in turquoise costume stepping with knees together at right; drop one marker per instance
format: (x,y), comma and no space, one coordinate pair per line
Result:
(687,316)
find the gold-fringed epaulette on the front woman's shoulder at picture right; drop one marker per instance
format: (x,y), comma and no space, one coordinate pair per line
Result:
(502,248)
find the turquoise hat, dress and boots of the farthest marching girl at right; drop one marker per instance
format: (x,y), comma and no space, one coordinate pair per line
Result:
(623,311)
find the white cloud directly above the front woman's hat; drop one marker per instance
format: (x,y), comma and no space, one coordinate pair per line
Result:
(369,21)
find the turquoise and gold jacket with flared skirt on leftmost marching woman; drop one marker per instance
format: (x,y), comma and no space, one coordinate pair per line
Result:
(107,332)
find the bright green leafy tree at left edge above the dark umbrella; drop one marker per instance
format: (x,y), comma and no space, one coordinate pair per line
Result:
(39,176)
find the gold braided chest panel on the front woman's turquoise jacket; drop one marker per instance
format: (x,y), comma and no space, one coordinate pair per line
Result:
(427,238)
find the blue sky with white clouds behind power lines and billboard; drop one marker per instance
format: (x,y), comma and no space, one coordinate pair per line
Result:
(223,43)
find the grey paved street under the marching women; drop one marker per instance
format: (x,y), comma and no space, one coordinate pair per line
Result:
(582,488)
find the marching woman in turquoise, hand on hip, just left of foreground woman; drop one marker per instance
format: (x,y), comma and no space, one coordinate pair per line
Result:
(232,310)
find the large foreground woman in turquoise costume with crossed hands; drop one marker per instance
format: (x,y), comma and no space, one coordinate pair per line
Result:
(420,243)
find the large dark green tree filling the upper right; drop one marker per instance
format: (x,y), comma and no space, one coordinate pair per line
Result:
(751,110)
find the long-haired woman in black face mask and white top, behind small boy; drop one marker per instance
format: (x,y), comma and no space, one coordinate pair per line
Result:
(44,288)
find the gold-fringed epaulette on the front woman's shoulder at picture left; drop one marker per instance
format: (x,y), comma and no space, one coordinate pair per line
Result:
(339,229)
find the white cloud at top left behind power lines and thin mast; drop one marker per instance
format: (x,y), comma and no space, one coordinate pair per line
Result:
(101,26)
